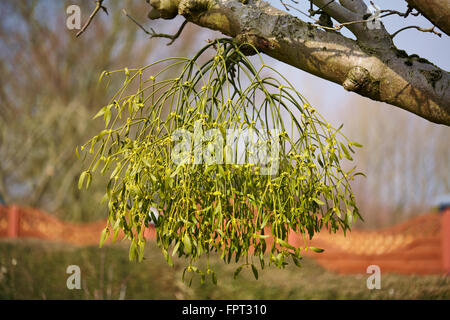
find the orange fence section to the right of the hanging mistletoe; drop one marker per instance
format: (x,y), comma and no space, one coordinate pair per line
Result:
(420,245)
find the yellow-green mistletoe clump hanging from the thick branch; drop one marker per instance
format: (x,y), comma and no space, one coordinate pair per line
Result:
(225,207)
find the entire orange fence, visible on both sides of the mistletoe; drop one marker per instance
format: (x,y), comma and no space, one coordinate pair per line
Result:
(421,245)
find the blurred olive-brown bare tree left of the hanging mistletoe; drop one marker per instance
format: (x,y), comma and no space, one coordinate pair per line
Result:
(49,94)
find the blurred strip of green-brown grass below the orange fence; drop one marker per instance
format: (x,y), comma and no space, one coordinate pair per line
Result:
(37,270)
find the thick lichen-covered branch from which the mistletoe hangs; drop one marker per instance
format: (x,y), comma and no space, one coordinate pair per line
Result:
(373,68)
